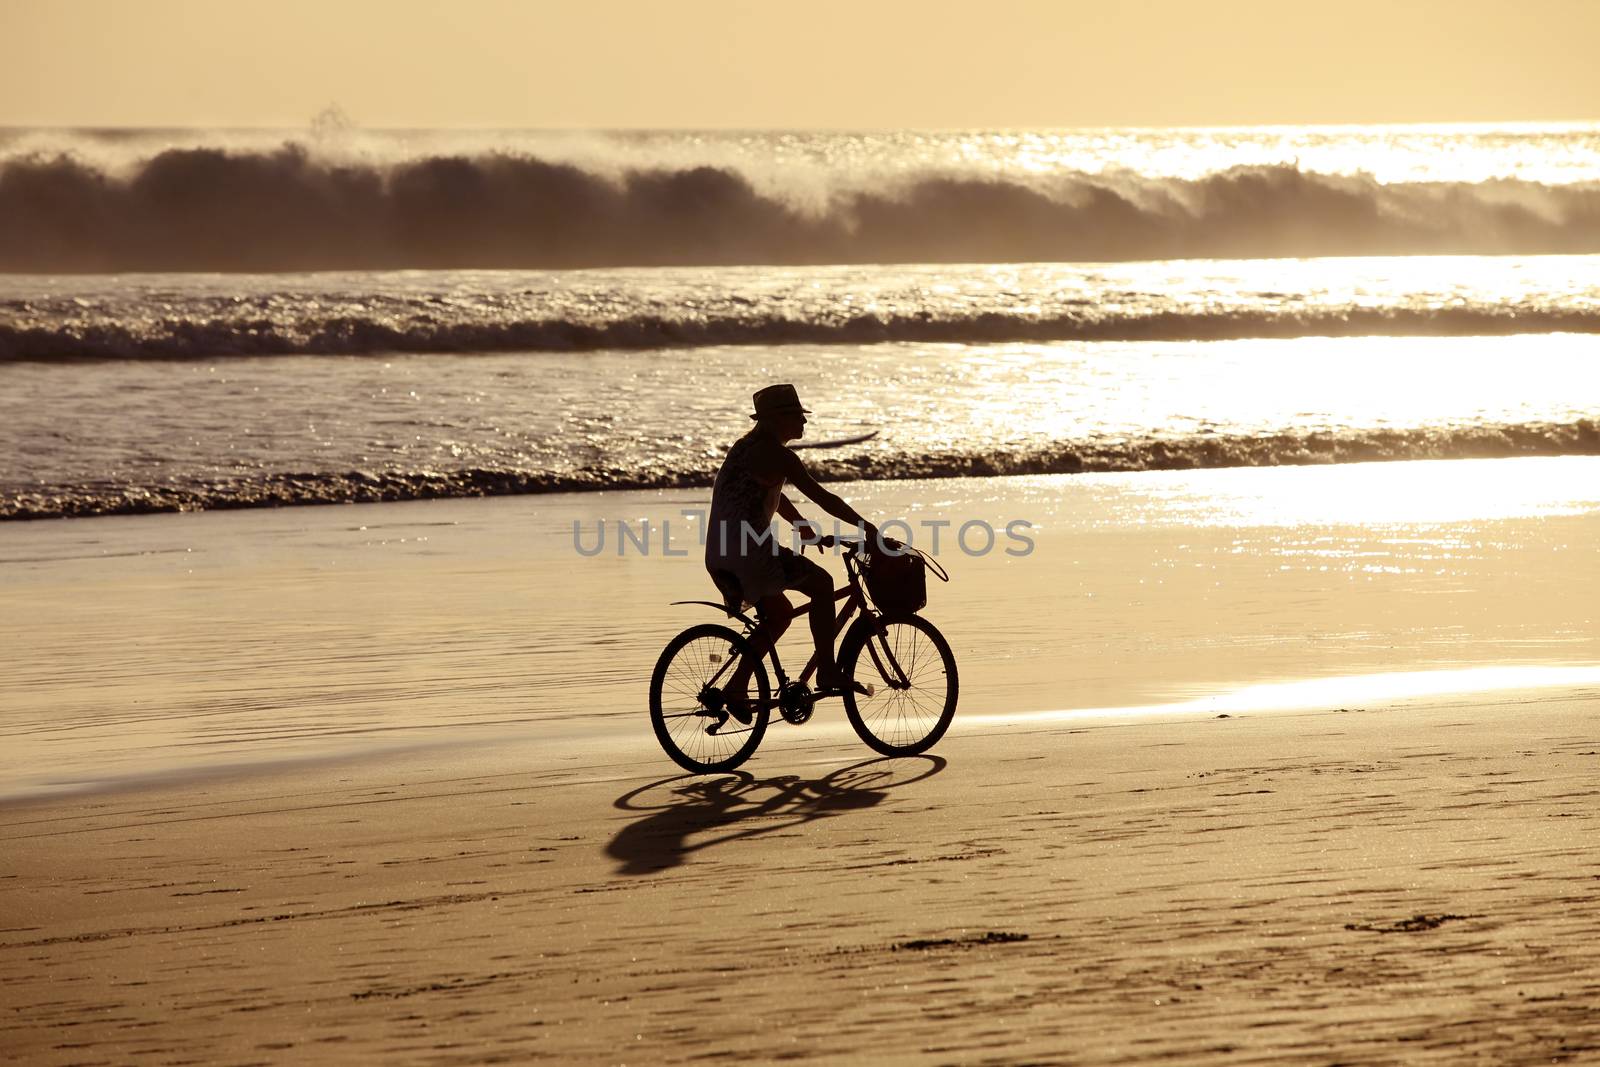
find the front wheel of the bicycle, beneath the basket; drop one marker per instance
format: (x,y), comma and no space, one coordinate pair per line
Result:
(911,671)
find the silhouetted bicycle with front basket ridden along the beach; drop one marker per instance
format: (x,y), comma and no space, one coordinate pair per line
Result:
(900,695)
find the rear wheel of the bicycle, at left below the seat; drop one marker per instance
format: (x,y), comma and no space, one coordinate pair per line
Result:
(687,701)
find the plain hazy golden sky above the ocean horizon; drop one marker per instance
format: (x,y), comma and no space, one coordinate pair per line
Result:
(796,63)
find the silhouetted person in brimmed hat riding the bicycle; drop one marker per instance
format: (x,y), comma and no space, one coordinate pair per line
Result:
(742,549)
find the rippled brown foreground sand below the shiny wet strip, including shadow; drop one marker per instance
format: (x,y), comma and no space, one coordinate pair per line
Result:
(1393,884)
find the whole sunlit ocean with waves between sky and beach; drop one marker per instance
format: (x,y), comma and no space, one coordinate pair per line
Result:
(226,319)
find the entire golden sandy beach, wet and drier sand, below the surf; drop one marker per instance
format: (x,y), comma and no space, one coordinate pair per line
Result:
(1257,765)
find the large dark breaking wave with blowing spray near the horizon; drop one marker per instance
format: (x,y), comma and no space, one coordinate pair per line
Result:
(210,209)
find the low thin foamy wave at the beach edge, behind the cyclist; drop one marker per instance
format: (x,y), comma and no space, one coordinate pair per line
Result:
(351,487)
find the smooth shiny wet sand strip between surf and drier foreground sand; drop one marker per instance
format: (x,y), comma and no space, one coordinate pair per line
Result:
(151,644)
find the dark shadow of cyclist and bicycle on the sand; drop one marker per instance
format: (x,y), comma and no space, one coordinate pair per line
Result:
(740,805)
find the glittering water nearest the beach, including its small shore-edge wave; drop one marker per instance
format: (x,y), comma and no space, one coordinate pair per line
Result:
(274,431)
